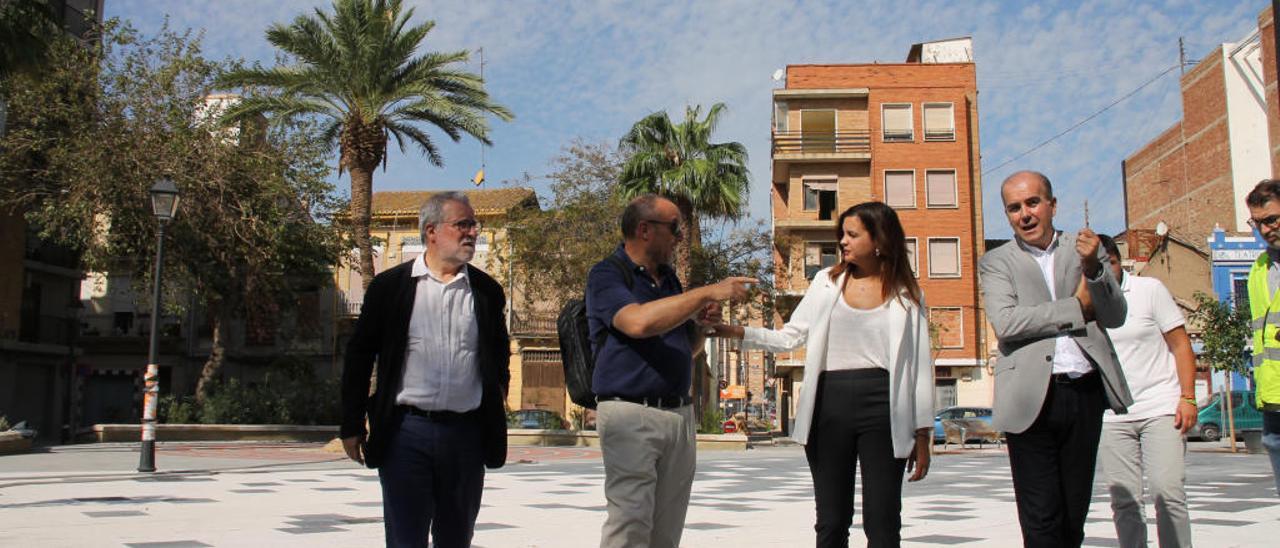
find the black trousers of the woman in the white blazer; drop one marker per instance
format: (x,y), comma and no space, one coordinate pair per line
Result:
(851,426)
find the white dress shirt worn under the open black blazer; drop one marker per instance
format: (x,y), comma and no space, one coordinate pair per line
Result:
(442,372)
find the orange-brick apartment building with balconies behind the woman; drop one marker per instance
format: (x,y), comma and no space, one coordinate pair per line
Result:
(904,134)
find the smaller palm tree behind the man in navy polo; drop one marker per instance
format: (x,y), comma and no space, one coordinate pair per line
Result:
(680,163)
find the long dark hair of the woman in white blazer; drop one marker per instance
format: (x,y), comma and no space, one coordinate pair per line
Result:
(886,231)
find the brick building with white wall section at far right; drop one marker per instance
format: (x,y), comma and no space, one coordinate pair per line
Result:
(1196,173)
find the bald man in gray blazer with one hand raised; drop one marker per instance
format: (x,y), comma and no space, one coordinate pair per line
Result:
(1049,299)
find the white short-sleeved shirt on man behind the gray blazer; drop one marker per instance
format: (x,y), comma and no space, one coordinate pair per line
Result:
(1148,363)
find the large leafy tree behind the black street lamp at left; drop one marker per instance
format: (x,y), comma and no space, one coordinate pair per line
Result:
(95,131)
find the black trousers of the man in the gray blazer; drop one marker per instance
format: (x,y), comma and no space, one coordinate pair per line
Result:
(1053,463)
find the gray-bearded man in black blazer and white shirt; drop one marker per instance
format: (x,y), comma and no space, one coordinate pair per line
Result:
(436,327)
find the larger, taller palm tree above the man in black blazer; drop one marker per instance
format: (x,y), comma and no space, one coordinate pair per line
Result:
(358,71)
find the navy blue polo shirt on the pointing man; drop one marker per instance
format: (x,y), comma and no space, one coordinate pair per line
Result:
(655,367)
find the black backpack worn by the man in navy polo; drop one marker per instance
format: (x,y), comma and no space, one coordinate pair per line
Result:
(575,337)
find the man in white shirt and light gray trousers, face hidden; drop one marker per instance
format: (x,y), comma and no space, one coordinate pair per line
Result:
(1159,364)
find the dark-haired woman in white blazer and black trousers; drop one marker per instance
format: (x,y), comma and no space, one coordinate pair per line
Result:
(868,378)
